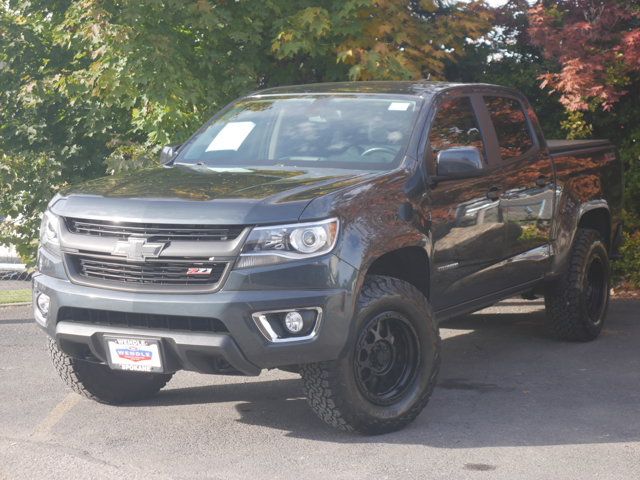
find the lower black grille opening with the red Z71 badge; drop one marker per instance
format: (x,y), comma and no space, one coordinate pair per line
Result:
(164,271)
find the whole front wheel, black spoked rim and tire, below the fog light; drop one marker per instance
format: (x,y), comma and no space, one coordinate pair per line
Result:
(387,375)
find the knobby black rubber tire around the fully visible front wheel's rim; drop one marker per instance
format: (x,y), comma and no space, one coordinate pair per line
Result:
(331,387)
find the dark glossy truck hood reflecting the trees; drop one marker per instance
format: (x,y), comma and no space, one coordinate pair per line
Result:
(200,194)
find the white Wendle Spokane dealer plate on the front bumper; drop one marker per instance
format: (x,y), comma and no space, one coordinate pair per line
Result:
(134,354)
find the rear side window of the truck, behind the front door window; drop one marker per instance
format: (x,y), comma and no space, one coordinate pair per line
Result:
(511,126)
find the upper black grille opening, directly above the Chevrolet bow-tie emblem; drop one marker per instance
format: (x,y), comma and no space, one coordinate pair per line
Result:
(158,232)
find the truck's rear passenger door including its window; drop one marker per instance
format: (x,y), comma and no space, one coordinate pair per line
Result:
(527,187)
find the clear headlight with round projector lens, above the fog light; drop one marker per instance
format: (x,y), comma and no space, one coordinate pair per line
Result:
(276,244)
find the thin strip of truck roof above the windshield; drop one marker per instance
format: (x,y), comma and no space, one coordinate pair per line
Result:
(413,88)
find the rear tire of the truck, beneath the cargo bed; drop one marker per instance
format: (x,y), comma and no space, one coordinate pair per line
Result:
(568,311)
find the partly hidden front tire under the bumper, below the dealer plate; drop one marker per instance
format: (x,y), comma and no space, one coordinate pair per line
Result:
(98,382)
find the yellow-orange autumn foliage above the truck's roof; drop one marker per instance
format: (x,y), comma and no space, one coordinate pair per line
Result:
(383,39)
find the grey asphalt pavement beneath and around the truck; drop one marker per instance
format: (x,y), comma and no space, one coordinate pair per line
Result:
(511,403)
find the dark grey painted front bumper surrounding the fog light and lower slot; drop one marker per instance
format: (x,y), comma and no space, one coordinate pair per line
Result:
(243,349)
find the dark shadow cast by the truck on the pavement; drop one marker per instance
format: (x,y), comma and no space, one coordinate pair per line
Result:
(503,382)
